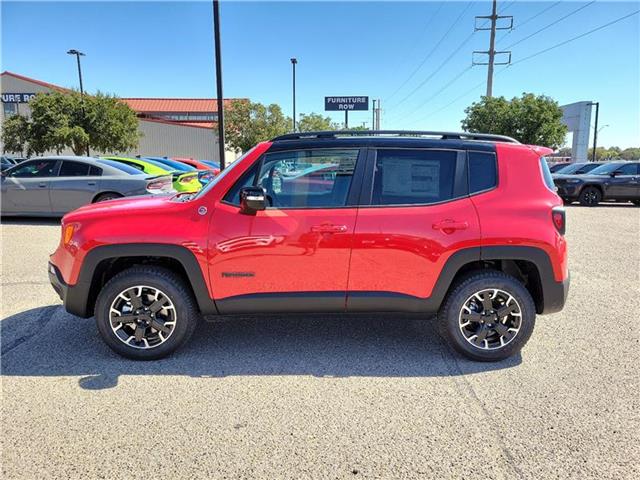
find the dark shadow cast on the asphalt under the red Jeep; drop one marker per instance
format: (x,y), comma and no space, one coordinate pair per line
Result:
(48,341)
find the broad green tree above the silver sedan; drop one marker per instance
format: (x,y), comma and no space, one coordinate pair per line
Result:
(69,120)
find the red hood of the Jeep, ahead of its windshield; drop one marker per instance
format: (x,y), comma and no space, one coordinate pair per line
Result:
(121,206)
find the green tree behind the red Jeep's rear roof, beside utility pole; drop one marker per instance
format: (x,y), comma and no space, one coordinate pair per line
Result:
(531,119)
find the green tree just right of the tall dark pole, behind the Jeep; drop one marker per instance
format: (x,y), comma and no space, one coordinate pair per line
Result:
(247,123)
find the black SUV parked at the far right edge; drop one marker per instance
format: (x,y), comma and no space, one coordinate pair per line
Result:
(613,181)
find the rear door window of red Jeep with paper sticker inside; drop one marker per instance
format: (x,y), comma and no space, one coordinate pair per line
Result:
(405,177)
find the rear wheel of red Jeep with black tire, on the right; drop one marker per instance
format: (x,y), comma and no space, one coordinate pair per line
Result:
(461,339)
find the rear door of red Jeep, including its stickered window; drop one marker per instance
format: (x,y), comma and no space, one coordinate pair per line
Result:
(418,216)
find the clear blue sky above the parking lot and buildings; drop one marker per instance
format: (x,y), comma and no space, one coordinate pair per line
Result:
(414,56)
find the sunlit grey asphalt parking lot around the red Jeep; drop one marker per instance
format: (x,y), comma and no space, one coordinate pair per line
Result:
(334,397)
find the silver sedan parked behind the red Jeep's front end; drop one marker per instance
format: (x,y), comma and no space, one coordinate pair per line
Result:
(53,186)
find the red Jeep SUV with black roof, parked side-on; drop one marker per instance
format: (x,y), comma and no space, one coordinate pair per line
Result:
(466,226)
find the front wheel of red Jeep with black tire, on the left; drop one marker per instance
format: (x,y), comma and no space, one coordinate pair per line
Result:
(180,309)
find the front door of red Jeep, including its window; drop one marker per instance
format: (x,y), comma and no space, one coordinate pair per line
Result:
(293,256)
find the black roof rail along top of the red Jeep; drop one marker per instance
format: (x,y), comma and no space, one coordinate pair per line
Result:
(397,133)
